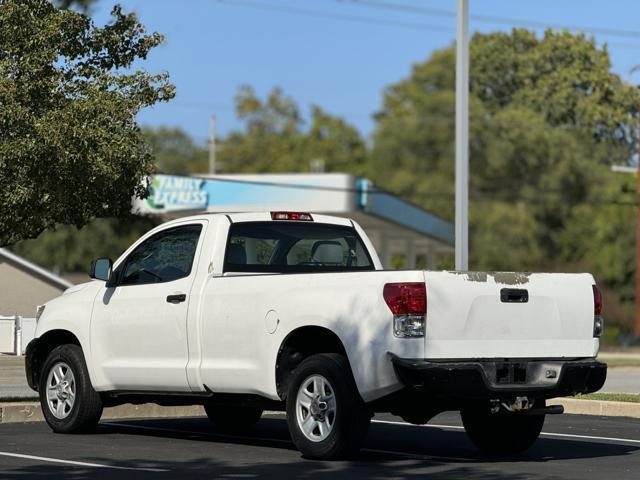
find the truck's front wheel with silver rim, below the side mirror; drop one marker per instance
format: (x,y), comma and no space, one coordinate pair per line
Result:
(68,401)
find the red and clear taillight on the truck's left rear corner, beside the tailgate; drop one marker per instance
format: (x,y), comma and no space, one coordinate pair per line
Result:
(408,303)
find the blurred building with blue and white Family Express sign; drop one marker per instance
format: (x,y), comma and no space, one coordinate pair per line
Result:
(395,226)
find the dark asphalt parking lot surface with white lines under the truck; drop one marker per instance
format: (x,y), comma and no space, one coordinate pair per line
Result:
(574,447)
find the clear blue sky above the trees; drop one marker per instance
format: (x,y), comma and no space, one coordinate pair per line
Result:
(338,54)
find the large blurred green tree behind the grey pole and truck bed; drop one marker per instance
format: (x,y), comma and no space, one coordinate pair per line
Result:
(548,118)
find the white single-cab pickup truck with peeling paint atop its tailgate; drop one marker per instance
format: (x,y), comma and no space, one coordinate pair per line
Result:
(293,311)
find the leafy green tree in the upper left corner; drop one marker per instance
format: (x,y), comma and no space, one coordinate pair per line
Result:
(70,149)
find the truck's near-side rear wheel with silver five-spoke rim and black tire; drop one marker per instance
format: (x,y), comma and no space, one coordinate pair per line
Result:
(326,416)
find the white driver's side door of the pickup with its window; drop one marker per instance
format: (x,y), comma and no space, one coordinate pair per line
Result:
(139,321)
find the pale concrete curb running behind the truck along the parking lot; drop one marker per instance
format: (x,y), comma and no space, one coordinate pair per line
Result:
(30,411)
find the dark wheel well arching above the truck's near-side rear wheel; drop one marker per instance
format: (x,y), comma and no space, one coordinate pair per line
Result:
(300,344)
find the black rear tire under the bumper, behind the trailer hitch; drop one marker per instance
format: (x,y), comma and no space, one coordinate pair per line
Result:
(502,433)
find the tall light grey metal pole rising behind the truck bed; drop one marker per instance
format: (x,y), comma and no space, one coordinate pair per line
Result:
(462,136)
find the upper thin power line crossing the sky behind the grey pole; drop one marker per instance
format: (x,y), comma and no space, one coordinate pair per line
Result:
(402,7)
